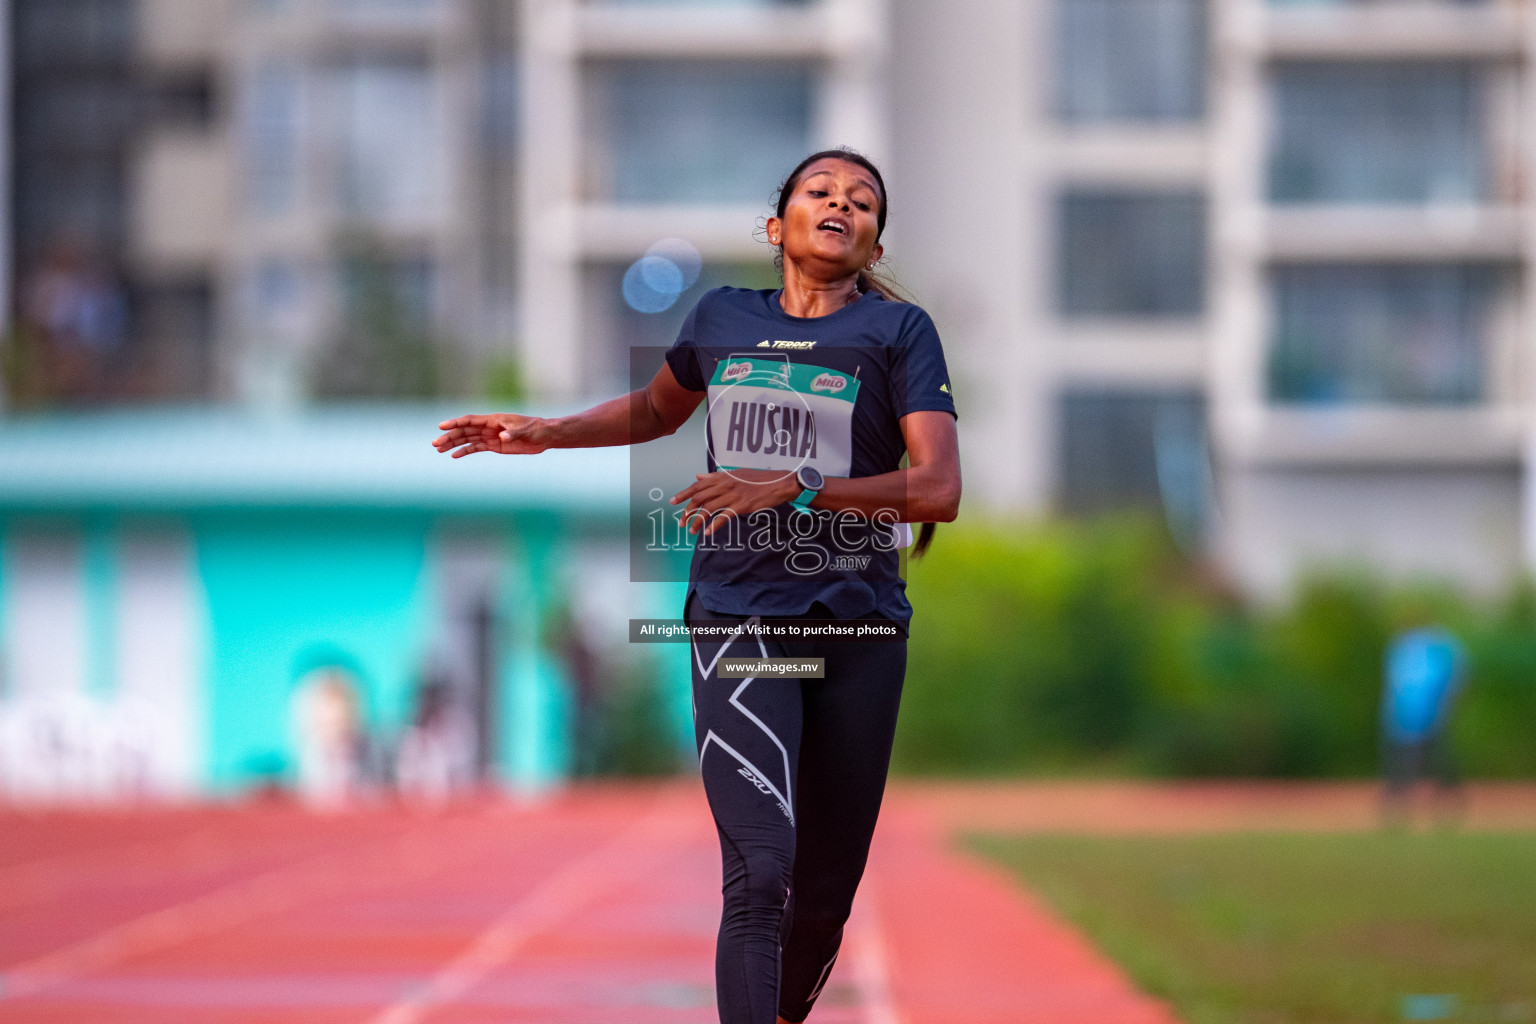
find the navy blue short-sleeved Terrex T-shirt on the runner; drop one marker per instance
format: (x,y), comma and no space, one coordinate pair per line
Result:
(807,391)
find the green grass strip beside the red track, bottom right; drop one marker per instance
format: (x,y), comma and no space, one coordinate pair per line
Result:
(1303,928)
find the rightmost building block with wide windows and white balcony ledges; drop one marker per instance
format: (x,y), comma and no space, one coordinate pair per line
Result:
(1371,377)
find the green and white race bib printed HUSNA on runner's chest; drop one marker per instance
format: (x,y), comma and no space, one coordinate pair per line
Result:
(780,415)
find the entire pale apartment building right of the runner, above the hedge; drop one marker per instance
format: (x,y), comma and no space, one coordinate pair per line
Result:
(1260,265)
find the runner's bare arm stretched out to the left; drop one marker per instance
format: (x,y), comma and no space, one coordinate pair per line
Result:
(658,409)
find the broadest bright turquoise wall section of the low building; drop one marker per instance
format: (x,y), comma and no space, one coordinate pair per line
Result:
(288,589)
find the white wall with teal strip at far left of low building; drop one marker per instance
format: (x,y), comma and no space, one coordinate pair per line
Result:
(102,644)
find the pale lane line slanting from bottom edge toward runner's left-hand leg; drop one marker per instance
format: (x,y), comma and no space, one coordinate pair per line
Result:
(624,860)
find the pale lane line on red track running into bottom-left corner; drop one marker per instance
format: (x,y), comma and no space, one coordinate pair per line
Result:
(270,893)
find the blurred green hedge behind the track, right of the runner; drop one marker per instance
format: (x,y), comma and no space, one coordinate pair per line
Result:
(1096,649)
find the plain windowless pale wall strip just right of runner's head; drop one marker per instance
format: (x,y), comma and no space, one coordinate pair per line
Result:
(968,225)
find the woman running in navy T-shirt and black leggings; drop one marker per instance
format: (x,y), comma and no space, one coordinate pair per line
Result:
(816,391)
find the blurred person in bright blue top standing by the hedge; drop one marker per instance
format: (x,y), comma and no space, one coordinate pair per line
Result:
(1425,670)
